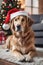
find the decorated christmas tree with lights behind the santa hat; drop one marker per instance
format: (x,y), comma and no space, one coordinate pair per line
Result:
(6,6)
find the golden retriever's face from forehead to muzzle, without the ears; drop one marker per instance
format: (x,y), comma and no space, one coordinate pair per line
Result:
(20,23)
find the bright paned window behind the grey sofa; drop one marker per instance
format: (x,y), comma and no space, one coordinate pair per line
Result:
(32,6)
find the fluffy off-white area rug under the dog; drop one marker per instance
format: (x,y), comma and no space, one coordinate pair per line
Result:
(7,55)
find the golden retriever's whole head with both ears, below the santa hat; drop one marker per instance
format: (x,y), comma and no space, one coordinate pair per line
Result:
(20,24)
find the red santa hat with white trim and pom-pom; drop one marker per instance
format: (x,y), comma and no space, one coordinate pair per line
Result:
(11,14)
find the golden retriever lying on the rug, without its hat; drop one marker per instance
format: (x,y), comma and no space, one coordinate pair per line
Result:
(21,42)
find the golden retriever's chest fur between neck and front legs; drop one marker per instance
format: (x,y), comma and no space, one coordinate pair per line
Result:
(23,43)
